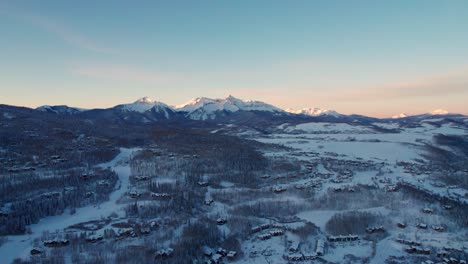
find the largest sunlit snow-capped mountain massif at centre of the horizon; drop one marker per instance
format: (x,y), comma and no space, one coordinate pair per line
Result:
(203,108)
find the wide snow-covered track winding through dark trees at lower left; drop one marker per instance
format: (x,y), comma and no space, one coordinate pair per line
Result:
(20,246)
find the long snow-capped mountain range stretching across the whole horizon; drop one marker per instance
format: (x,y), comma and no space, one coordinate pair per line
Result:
(228,110)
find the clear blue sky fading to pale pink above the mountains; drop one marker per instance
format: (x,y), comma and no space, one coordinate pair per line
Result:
(376,58)
